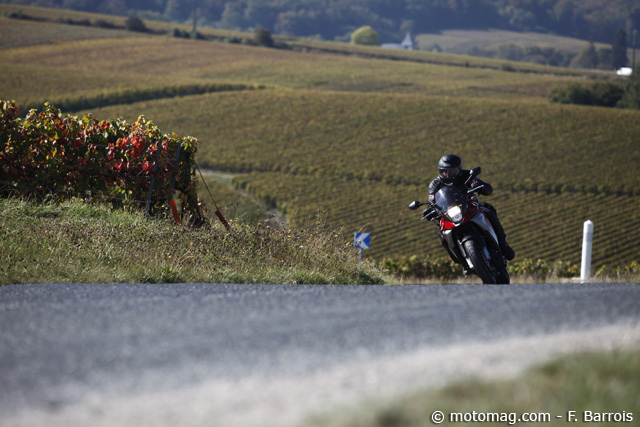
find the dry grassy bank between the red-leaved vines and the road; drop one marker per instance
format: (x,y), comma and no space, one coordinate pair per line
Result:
(83,243)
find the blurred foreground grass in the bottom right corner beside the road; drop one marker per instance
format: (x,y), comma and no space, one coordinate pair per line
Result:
(601,387)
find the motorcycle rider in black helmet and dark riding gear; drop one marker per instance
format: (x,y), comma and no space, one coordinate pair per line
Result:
(450,172)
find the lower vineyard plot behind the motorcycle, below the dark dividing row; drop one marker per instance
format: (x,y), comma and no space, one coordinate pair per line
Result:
(539,224)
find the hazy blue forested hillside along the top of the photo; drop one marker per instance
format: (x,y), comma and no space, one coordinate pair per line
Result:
(337,19)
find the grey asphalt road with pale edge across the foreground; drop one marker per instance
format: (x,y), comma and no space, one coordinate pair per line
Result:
(75,347)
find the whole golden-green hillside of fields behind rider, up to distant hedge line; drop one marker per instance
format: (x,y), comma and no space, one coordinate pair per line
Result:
(349,140)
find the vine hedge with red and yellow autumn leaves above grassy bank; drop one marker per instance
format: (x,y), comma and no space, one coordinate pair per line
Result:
(48,153)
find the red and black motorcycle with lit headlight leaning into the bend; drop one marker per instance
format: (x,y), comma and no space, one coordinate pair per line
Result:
(466,232)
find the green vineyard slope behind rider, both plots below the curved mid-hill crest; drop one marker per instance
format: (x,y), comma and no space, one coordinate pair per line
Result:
(551,165)
